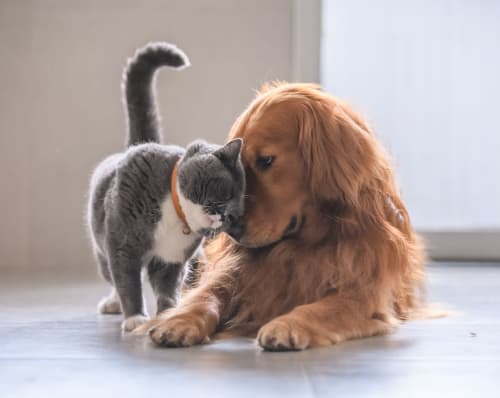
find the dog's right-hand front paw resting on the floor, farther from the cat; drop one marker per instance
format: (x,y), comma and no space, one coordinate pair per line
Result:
(282,334)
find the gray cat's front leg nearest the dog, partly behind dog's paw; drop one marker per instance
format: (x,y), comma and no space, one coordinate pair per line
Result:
(166,279)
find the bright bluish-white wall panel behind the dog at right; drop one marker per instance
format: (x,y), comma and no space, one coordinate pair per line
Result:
(426,73)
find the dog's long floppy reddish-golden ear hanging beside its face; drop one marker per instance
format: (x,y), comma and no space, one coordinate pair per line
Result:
(338,150)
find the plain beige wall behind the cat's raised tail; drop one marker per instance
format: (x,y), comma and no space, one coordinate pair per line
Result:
(60,109)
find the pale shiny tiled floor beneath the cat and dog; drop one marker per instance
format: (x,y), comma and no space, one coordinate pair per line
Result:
(53,344)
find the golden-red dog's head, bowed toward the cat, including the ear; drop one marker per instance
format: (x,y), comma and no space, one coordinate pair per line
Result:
(303,151)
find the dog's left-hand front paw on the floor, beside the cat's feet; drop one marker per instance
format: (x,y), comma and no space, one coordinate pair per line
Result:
(179,331)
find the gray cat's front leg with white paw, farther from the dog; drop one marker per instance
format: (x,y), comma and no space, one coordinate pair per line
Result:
(126,273)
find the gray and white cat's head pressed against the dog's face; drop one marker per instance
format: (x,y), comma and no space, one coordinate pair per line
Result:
(212,185)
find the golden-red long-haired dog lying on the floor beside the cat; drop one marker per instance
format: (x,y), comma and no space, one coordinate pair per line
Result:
(325,251)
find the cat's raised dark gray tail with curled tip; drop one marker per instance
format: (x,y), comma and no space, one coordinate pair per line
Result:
(139,89)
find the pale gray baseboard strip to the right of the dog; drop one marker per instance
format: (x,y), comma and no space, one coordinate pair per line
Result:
(463,245)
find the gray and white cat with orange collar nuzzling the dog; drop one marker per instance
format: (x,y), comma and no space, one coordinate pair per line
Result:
(152,205)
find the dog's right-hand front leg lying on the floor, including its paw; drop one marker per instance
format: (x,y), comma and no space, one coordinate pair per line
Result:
(328,321)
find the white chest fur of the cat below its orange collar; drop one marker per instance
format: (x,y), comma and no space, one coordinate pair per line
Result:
(170,242)
